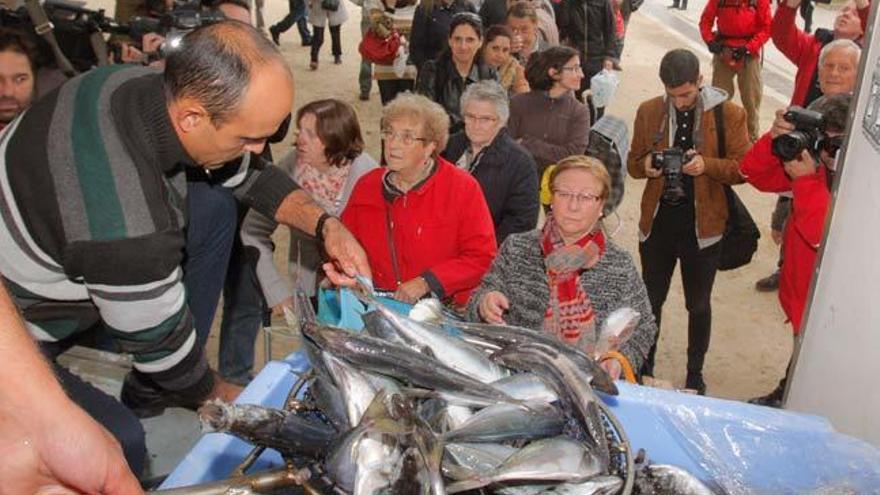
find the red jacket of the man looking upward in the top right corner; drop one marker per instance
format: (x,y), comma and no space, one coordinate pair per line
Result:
(799,47)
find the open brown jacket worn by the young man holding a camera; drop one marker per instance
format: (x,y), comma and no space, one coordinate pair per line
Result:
(711,202)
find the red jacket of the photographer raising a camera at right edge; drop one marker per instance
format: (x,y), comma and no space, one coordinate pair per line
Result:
(805,226)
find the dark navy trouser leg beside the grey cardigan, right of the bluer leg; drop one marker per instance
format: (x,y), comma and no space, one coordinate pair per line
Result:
(244,312)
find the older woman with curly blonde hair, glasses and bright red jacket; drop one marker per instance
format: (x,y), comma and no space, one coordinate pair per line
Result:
(423,222)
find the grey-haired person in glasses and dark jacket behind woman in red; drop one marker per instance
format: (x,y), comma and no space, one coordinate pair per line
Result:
(505,170)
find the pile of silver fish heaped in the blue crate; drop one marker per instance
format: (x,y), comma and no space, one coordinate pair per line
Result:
(408,407)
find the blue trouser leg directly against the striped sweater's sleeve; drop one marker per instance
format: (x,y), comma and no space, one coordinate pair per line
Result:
(210,233)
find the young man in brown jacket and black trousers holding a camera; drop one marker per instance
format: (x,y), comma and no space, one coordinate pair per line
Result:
(684,214)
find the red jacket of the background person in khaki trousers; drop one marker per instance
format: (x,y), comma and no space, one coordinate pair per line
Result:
(739,23)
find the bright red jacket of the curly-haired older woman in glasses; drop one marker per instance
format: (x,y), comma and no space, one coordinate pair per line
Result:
(442,230)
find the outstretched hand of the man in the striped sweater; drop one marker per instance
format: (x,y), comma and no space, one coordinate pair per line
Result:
(347,256)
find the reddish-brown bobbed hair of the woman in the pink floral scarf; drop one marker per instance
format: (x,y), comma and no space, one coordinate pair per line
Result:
(338,128)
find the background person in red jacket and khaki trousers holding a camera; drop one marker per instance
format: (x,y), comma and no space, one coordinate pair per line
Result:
(741,29)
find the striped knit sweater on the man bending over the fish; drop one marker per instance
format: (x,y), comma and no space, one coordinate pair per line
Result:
(92,198)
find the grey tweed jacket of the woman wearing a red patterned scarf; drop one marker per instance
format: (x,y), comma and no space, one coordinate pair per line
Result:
(519,273)
